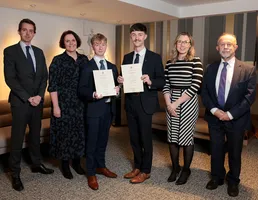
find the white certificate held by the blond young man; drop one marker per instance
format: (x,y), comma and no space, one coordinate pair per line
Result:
(104,82)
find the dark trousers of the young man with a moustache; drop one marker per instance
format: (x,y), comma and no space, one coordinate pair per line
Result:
(139,124)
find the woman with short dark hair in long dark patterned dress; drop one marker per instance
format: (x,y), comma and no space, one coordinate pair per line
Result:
(67,137)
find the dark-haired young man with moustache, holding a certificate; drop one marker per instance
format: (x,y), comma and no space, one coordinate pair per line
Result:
(141,106)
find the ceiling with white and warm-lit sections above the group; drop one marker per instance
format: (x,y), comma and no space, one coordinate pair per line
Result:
(131,11)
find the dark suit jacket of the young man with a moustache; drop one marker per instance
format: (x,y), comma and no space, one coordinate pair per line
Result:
(152,65)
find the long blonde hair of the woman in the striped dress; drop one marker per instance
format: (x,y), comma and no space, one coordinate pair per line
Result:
(191,52)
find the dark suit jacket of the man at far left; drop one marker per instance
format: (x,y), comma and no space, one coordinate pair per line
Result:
(20,77)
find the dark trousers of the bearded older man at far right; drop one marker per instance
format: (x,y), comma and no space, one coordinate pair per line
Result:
(234,143)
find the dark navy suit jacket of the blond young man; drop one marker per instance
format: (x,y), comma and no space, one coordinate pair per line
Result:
(94,107)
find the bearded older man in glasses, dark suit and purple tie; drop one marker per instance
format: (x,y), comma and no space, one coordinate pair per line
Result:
(228,92)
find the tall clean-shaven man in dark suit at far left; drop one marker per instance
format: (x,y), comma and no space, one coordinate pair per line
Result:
(26,75)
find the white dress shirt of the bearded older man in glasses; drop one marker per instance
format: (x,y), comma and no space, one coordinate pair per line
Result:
(230,71)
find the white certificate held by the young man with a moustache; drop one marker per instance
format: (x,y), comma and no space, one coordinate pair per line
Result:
(132,78)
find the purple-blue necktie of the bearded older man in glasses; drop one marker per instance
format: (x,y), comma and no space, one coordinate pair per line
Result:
(222,85)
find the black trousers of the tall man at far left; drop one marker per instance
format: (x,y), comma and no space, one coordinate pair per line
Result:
(24,115)
